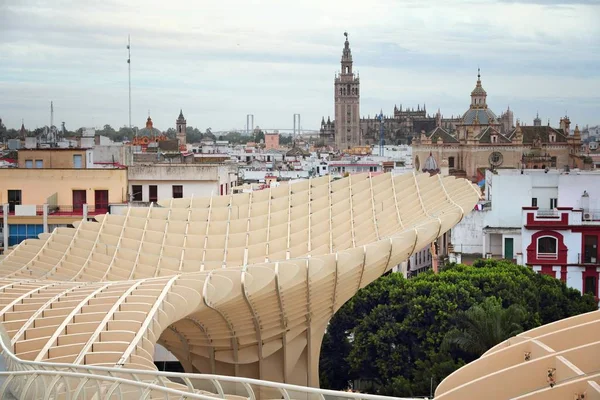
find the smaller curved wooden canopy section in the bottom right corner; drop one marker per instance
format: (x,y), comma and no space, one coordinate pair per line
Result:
(560,360)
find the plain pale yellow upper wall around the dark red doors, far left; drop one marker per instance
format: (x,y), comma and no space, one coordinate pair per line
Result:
(38,184)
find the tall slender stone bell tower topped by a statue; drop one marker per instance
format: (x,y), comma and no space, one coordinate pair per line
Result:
(347,103)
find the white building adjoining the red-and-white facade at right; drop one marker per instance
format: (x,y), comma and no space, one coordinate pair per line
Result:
(494,228)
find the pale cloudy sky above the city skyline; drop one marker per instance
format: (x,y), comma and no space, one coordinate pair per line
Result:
(221,60)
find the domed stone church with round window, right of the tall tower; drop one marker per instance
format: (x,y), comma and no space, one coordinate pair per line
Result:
(481,140)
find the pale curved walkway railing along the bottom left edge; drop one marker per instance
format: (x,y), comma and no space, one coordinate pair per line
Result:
(45,380)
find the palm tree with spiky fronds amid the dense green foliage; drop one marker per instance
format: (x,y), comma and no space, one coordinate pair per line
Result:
(484,325)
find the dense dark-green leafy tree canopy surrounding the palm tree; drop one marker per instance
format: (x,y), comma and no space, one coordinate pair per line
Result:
(389,338)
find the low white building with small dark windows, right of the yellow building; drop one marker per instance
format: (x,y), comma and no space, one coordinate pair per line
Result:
(150,183)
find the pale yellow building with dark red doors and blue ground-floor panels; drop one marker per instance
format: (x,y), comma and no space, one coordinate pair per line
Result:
(69,195)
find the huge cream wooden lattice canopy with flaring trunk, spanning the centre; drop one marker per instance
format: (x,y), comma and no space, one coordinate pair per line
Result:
(239,285)
